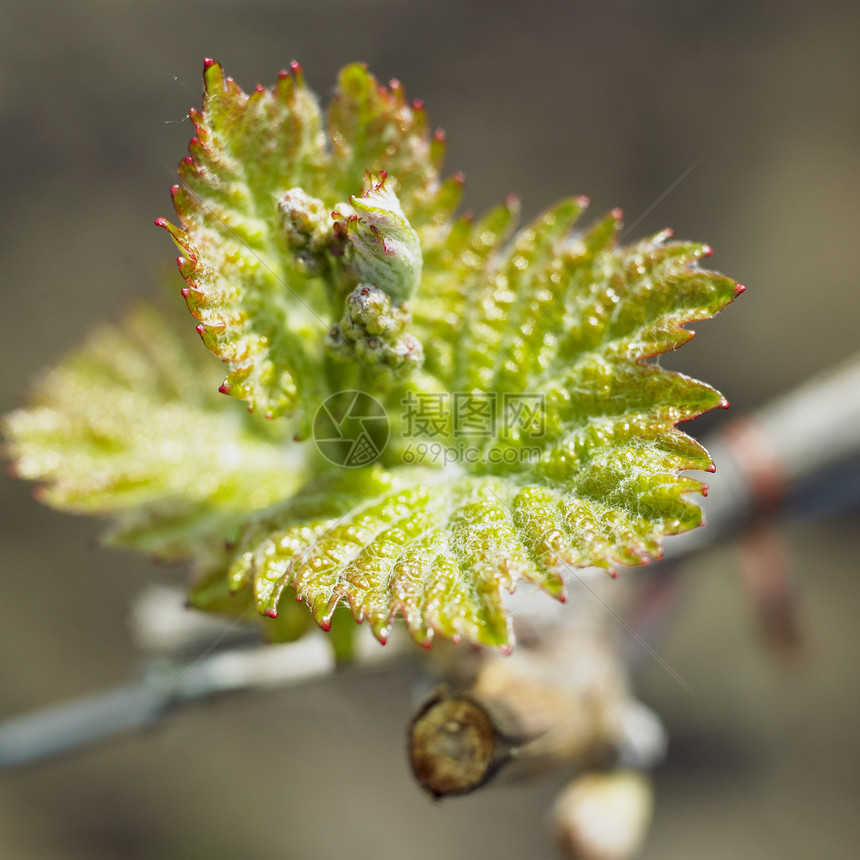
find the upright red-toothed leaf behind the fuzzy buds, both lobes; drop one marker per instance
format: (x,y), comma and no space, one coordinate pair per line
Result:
(262,309)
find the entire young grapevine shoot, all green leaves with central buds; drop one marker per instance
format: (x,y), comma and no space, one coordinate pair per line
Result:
(525,429)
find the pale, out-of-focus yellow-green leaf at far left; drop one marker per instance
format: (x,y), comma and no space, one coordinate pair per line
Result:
(123,428)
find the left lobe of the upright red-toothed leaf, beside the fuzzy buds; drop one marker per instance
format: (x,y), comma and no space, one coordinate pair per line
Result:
(257,309)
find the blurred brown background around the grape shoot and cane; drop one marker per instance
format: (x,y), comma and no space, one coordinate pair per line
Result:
(615,99)
